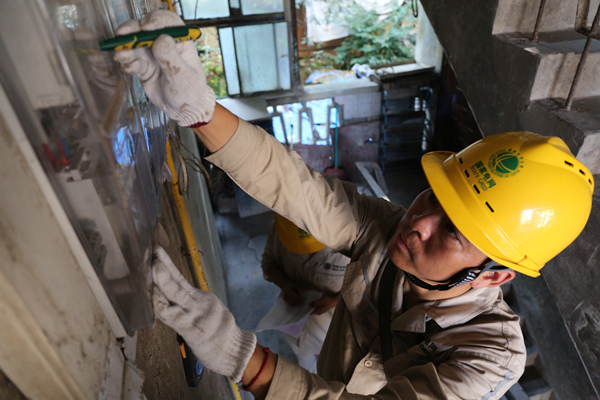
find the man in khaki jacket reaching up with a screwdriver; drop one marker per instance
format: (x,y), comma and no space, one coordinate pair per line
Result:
(420,314)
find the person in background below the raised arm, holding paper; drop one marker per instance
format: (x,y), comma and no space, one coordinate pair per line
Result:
(296,262)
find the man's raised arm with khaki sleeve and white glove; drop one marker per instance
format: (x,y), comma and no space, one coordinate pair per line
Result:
(174,80)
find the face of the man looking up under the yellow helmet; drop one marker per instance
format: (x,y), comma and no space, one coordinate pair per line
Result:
(428,245)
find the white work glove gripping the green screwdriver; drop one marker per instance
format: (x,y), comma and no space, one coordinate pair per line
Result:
(171,73)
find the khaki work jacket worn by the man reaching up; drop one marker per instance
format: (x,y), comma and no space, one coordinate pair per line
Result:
(467,347)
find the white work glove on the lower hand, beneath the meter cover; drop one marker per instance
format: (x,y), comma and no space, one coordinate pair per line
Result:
(201,319)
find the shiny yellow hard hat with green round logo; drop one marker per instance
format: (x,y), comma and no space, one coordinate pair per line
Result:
(519,197)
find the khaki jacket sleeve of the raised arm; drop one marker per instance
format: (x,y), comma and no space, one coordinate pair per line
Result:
(278,178)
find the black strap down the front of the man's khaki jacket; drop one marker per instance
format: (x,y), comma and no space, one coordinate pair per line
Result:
(386,290)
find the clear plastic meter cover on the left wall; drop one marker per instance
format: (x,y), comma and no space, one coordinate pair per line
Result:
(100,141)
